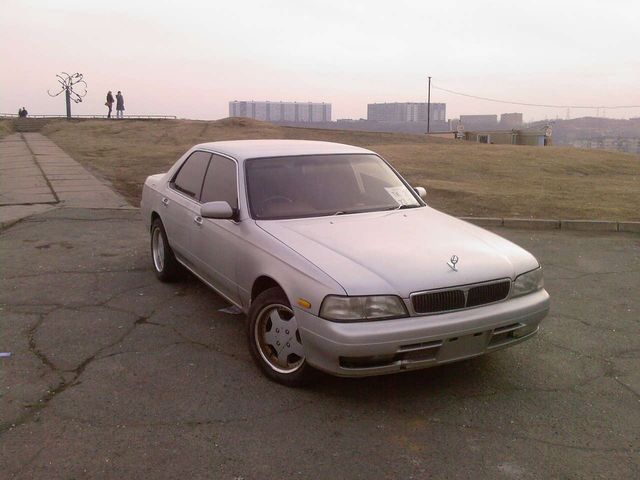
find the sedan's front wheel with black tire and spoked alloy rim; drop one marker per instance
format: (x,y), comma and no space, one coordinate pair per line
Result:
(297,372)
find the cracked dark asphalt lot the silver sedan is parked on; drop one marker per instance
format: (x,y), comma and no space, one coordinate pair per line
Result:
(113,374)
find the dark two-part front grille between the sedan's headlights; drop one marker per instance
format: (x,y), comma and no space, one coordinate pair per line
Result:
(458,298)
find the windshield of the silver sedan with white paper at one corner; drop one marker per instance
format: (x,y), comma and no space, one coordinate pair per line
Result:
(318,185)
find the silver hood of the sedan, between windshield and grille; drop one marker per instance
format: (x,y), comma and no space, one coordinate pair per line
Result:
(400,252)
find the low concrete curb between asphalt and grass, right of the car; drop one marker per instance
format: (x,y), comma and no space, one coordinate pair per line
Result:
(551,224)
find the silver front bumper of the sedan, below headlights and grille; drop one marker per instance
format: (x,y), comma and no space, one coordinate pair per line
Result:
(387,346)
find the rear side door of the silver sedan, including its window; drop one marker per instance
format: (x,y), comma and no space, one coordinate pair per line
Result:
(181,212)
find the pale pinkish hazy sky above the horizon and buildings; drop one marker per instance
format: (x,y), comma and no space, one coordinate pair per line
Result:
(189,58)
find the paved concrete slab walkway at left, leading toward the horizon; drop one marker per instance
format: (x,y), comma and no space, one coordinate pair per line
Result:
(36,175)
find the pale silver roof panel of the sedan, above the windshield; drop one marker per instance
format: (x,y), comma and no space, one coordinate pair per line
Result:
(244,149)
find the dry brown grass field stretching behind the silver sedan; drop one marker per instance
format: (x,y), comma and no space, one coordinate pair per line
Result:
(461,178)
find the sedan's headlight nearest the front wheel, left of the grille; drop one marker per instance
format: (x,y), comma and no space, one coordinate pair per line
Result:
(358,309)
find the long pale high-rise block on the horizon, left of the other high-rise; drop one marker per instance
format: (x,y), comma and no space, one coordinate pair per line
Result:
(281,111)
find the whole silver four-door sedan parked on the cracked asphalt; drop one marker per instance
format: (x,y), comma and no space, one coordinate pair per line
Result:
(337,261)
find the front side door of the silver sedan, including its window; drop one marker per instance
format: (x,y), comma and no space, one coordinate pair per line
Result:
(218,240)
